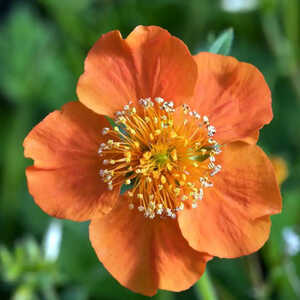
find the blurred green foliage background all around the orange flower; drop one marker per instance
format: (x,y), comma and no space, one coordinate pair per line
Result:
(43,44)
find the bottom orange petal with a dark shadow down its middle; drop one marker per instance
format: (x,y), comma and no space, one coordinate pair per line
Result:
(145,255)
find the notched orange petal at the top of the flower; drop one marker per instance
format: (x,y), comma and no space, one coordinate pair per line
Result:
(149,63)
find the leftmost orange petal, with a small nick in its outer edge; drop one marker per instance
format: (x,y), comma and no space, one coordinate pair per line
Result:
(64,180)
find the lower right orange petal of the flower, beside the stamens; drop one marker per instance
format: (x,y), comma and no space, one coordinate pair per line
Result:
(237,208)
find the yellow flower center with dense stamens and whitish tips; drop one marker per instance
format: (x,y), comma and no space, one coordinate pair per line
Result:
(163,157)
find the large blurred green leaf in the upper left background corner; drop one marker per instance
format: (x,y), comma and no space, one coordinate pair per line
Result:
(32,69)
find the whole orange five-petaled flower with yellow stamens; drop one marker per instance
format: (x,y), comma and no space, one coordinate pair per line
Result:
(182,144)
